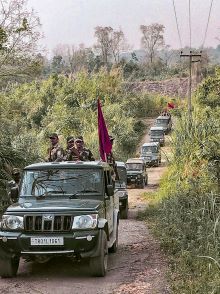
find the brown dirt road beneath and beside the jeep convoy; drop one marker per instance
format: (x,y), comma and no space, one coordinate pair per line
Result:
(138,267)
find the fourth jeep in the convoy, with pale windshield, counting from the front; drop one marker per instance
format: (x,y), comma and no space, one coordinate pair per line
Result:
(151,153)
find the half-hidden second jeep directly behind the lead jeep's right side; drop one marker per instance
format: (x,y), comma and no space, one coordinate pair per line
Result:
(121,189)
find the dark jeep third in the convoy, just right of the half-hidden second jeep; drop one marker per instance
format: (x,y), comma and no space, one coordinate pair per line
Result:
(136,172)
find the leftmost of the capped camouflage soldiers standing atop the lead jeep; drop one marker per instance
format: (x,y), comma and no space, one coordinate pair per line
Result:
(55,152)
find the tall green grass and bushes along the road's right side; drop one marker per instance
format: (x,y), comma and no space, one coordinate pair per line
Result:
(185,213)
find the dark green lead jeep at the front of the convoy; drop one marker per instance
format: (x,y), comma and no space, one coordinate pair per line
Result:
(63,209)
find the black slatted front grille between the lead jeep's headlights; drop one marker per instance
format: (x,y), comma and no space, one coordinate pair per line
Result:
(54,223)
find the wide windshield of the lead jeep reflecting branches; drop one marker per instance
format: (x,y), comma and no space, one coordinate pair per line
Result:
(59,182)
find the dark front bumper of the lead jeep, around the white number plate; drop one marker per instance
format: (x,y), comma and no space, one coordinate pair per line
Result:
(83,243)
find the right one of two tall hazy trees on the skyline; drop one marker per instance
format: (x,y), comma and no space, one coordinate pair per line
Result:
(152,39)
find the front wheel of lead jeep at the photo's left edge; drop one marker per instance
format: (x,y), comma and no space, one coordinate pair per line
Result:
(9,267)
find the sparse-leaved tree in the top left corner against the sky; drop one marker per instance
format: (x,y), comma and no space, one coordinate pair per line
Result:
(19,34)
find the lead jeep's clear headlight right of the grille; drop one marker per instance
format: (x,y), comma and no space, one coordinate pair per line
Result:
(88,221)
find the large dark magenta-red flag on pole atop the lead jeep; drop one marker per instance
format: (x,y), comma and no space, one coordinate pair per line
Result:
(105,145)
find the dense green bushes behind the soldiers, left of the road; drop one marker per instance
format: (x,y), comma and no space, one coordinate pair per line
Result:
(67,105)
